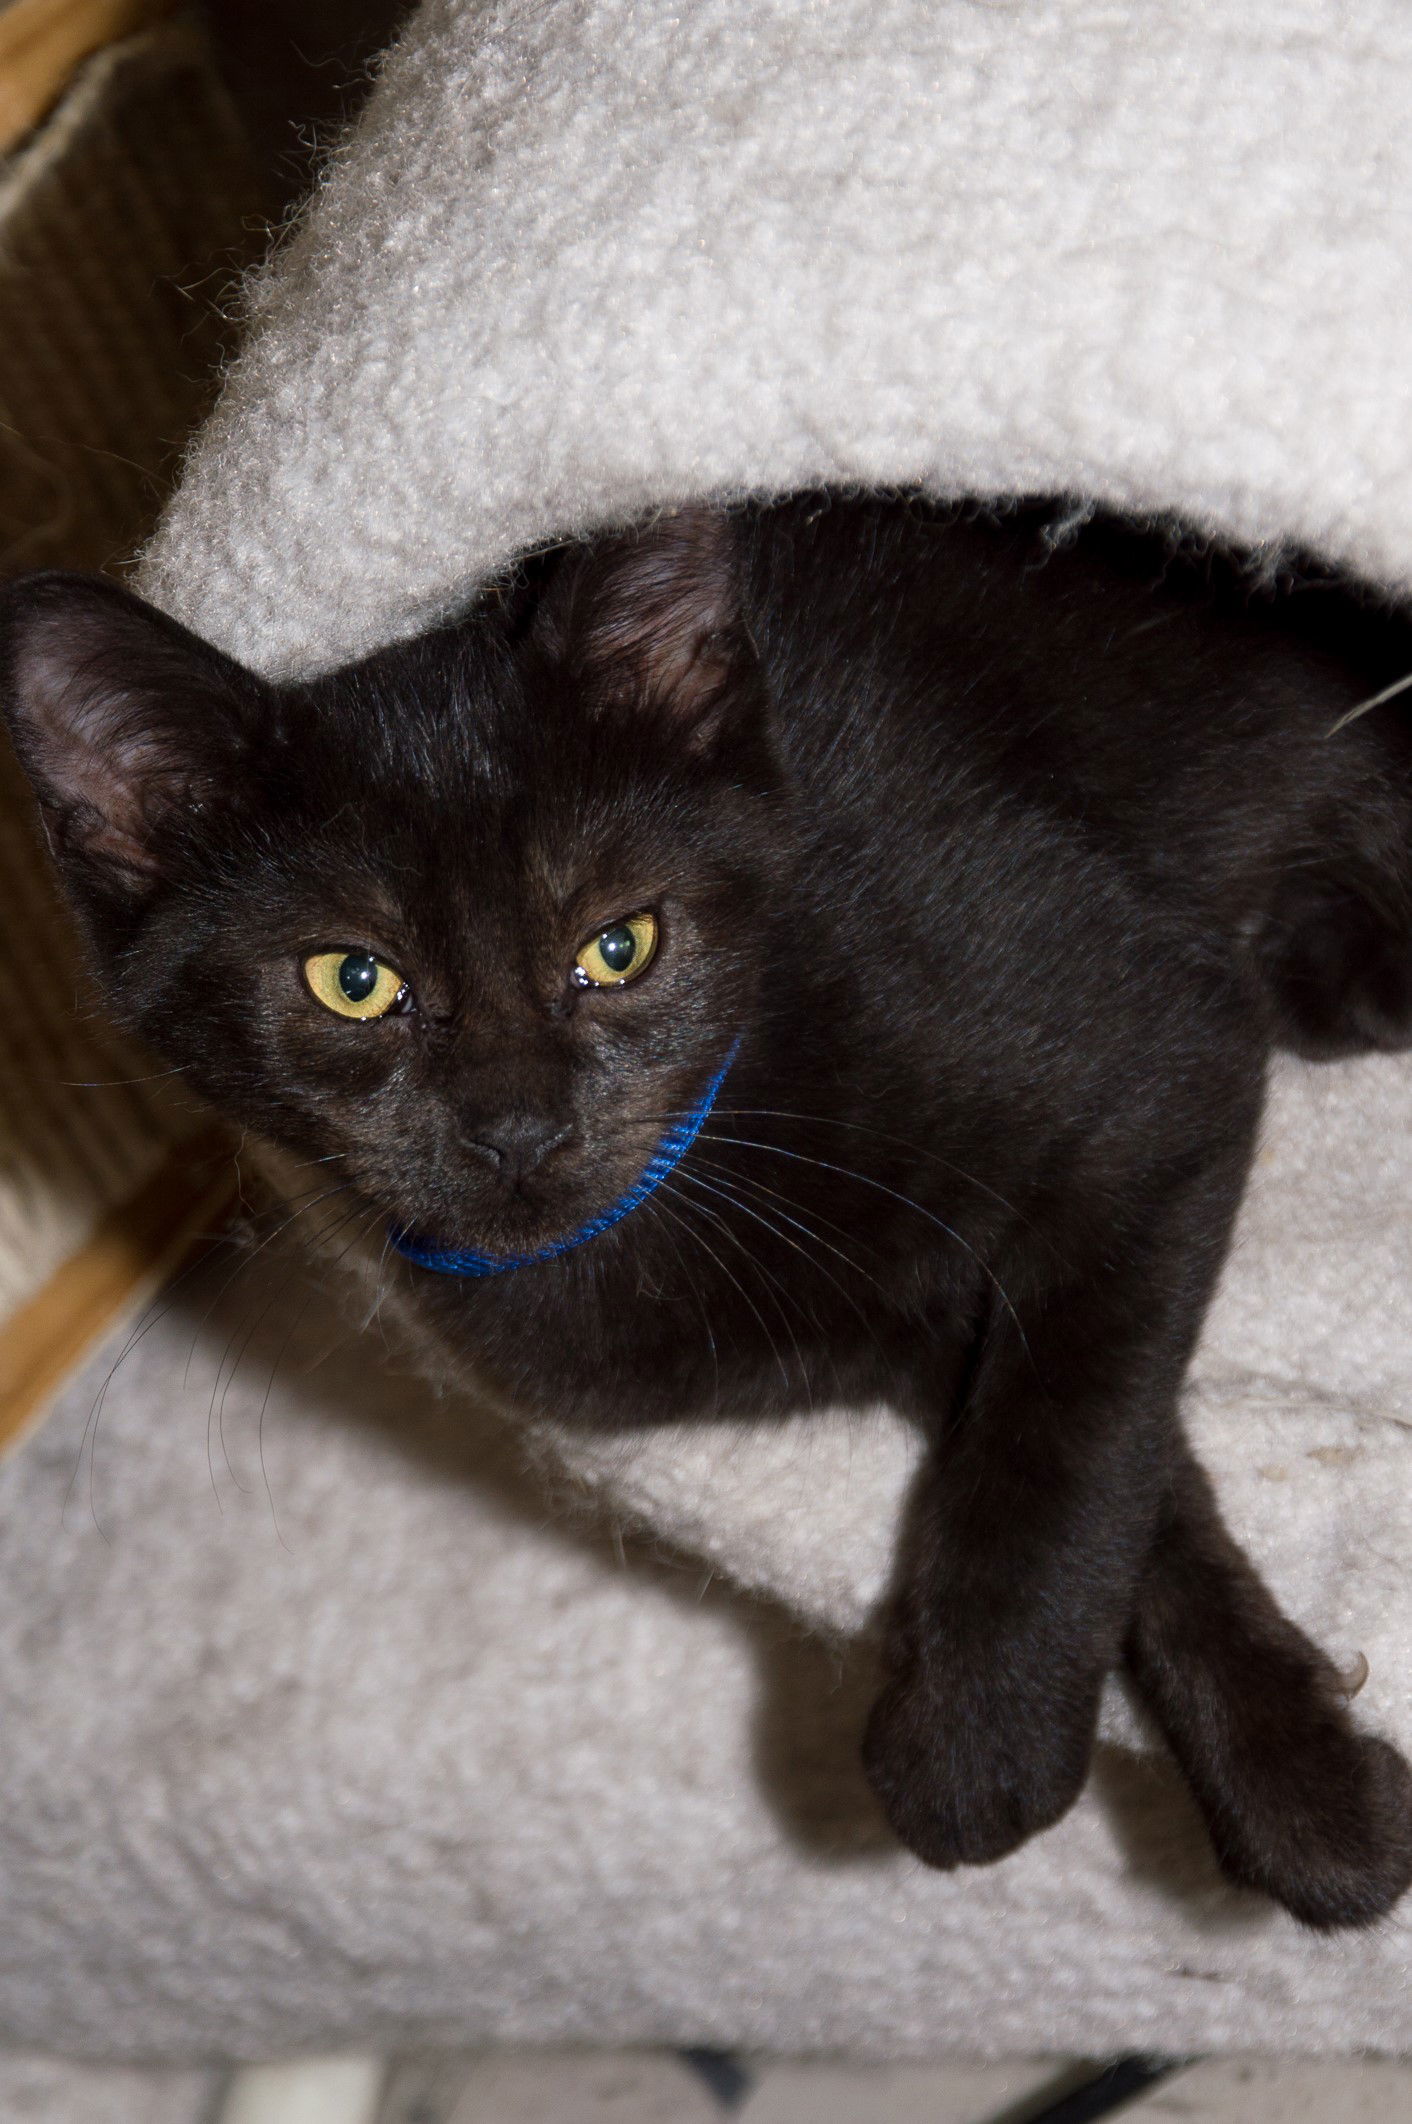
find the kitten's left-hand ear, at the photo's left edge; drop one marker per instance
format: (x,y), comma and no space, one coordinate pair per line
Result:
(124,723)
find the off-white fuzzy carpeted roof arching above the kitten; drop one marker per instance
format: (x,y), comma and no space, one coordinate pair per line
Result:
(589,256)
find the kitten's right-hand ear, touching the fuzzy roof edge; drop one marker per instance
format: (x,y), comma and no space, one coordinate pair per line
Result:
(655,621)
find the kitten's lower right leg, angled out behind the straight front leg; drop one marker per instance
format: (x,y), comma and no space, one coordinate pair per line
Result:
(1298,1802)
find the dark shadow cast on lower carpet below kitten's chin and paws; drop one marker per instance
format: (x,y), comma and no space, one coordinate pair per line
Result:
(275,1314)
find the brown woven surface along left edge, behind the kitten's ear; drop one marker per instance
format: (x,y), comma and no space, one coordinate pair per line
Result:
(122,222)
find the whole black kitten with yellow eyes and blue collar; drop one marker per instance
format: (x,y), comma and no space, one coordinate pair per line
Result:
(991,876)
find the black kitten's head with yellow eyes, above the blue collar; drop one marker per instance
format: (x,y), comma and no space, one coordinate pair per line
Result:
(472,919)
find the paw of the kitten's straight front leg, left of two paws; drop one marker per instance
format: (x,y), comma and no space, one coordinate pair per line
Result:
(967,1783)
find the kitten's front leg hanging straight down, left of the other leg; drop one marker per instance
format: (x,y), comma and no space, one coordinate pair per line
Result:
(1035,1518)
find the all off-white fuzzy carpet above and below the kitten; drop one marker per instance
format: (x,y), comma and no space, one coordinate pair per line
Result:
(438,1768)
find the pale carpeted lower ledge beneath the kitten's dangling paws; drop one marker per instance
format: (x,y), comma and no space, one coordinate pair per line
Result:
(320,1732)
